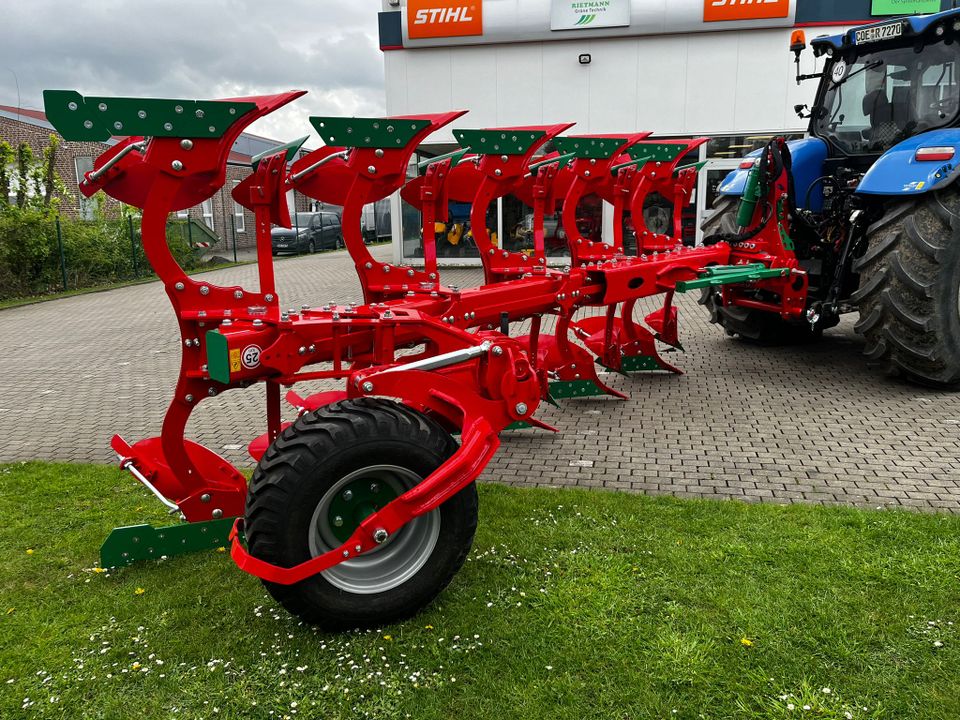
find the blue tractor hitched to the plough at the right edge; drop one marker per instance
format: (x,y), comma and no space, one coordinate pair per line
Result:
(875,216)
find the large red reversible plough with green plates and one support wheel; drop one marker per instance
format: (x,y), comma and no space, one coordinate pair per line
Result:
(363,508)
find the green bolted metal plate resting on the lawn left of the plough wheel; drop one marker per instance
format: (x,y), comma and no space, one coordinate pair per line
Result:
(127,545)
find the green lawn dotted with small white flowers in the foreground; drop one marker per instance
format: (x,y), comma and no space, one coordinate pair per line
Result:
(572,605)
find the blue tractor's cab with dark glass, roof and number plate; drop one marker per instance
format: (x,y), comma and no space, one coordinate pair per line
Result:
(886,82)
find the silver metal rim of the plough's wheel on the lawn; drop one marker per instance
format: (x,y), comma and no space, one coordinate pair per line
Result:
(395,561)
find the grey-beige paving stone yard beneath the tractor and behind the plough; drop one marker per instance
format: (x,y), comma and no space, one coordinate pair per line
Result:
(801,424)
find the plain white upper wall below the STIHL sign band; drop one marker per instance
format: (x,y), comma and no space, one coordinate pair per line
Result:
(704,83)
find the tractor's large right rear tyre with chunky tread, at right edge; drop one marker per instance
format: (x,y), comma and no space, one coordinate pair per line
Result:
(909,294)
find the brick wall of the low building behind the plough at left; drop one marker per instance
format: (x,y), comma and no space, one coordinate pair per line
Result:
(226,214)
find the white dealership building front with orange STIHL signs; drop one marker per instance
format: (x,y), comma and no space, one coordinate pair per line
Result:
(720,69)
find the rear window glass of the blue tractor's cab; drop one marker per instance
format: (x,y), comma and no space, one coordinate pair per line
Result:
(888,96)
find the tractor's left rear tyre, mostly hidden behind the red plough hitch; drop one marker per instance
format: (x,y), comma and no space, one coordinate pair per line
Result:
(756,326)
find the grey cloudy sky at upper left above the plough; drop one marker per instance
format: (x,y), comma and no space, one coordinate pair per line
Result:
(198,49)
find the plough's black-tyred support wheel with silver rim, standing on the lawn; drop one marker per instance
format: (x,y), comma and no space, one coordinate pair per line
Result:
(326,473)
